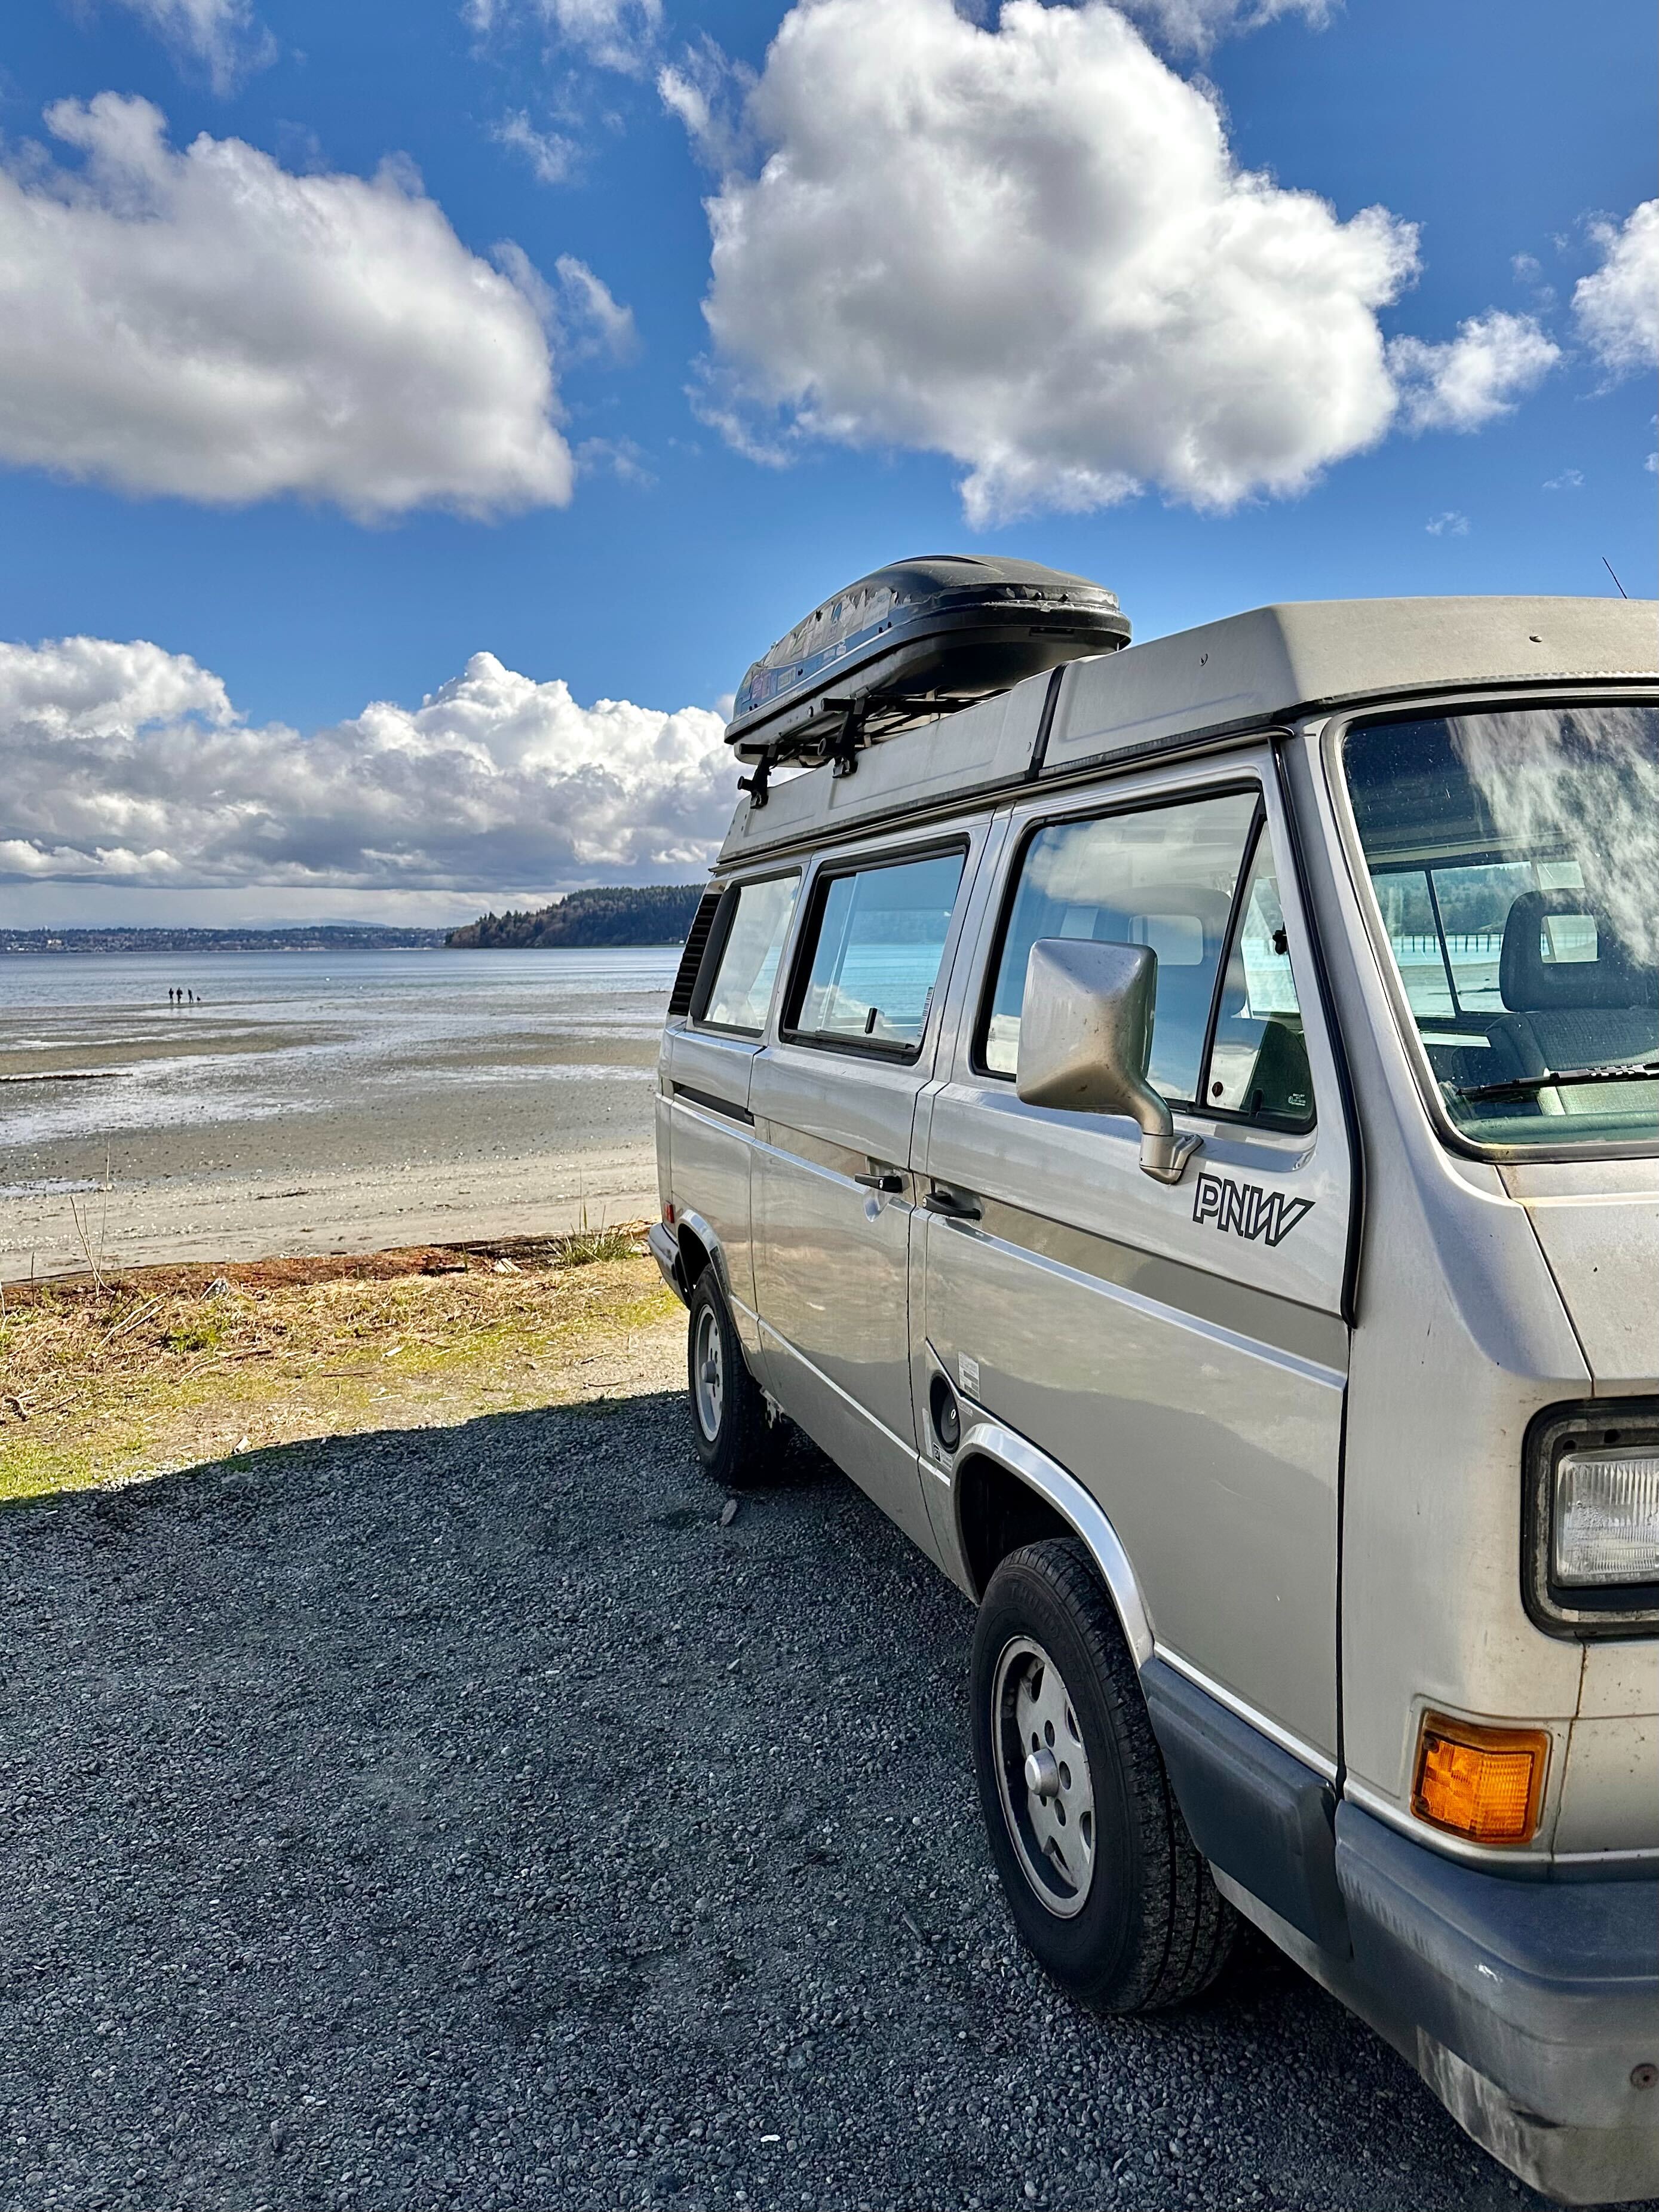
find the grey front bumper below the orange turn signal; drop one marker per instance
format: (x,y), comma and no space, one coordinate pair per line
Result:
(1530,2007)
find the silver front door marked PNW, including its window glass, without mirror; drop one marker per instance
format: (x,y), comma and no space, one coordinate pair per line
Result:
(1178,1348)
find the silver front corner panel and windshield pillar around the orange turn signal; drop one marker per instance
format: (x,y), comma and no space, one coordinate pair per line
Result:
(1461,1339)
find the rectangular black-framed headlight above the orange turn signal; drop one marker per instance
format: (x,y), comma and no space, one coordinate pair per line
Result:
(1594,1519)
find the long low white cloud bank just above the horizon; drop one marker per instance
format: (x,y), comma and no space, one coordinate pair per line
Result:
(127,766)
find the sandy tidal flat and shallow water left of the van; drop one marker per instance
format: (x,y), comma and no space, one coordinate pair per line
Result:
(322,1103)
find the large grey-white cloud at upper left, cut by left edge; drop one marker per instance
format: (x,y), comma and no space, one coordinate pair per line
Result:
(211,326)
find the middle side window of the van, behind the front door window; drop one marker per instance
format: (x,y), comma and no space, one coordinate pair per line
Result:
(875,948)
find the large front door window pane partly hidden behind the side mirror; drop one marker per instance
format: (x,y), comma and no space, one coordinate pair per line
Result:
(1162,877)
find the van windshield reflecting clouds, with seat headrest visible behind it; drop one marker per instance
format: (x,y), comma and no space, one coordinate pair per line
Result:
(1516,868)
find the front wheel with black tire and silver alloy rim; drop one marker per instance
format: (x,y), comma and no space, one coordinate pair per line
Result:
(1131,1921)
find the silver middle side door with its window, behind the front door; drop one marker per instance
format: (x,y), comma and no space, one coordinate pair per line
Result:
(835,1103)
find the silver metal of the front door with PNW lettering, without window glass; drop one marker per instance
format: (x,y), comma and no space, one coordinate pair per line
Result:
(1180,1350)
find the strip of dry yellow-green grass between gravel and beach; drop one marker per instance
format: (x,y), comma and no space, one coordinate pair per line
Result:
(167,1368)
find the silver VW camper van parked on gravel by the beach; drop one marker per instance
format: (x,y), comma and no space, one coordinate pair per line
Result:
(1182,1134)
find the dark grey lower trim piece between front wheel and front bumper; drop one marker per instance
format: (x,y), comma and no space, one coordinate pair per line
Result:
(1253,1811)
